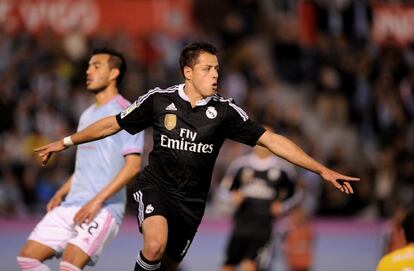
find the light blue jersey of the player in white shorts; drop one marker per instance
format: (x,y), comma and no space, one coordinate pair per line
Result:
(98,162)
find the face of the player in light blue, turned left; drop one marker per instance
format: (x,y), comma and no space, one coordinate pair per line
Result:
(98,73)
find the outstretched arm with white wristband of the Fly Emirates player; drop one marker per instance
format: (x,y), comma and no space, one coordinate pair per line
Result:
(100,129)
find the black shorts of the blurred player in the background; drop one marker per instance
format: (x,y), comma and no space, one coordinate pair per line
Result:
(241,247)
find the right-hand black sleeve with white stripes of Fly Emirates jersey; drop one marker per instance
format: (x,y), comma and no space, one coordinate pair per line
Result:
(240,128)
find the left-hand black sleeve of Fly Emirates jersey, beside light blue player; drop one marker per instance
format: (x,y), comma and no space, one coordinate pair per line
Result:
(137,116)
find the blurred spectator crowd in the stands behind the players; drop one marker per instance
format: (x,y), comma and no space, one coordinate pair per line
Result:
(348,101)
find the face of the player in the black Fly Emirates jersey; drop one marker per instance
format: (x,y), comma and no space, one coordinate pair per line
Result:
(204,74)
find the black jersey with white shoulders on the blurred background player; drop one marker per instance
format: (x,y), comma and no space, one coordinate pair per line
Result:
(262,181)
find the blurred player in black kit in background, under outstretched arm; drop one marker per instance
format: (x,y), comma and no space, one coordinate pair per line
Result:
(262,188)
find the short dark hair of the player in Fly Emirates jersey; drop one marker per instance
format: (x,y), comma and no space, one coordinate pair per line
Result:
(190,53)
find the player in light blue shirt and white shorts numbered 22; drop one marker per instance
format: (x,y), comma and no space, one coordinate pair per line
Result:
(86,212)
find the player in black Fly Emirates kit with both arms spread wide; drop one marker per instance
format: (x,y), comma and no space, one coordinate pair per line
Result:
(190,123)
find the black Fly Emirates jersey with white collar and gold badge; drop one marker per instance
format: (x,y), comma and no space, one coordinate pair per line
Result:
(186,140)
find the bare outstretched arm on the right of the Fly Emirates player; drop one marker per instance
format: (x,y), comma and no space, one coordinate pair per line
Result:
(286,149)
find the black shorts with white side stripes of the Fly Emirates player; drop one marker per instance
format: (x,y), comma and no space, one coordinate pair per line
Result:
(149,200)
